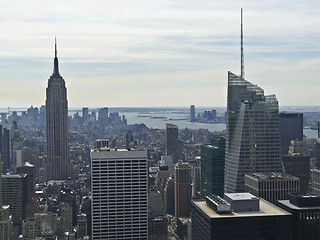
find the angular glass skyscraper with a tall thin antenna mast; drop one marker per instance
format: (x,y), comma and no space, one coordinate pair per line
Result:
(252,131)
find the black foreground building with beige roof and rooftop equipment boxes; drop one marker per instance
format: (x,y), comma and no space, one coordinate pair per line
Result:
(239,216)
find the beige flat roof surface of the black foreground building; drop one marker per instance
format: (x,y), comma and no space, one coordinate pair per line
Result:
(266,209)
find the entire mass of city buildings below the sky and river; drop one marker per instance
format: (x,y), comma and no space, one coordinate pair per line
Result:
(89,178)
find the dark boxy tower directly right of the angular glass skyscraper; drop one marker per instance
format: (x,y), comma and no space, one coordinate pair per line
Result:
(291,128)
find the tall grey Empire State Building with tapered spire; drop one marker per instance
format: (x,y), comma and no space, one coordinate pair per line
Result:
(57,165)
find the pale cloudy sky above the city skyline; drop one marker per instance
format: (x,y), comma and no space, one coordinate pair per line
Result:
(158,53)
